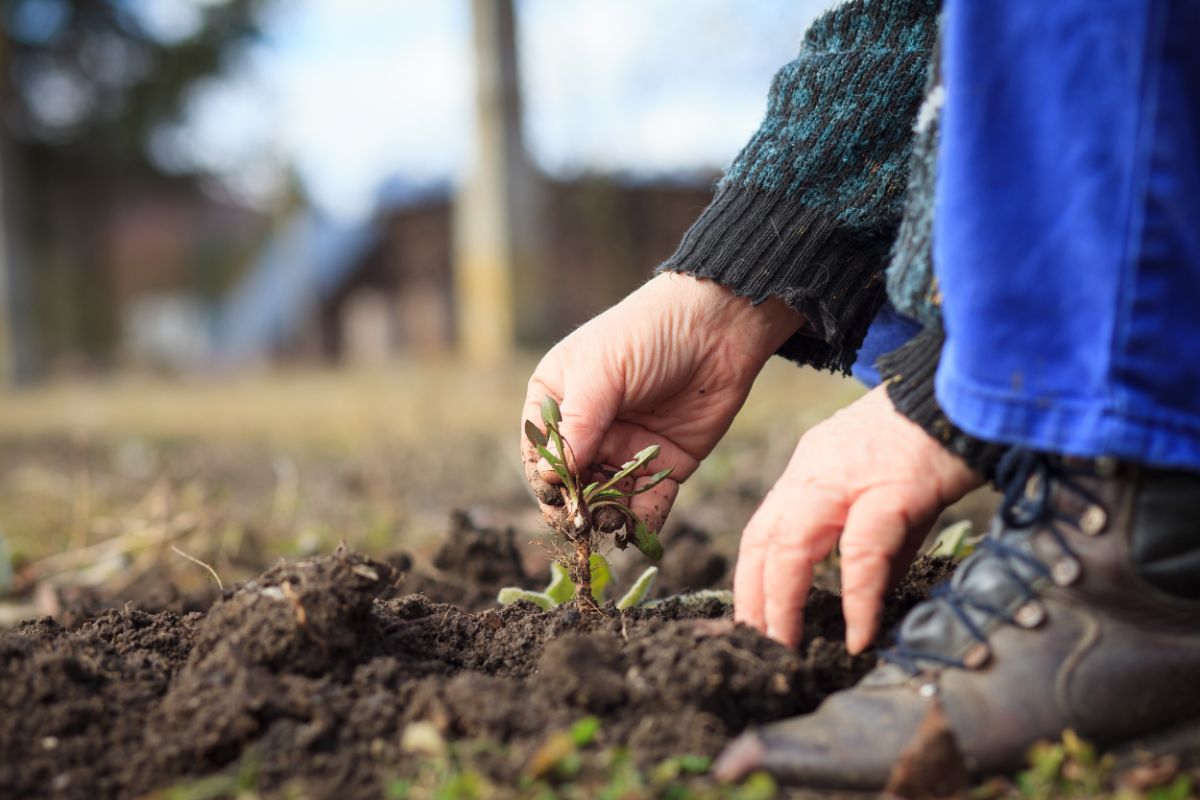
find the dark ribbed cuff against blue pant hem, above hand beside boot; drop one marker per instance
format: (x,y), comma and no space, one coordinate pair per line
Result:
(909,372)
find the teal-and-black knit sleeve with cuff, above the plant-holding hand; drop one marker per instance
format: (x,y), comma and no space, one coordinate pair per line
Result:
(811,207)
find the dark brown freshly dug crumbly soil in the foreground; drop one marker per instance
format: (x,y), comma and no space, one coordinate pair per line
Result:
(316,669)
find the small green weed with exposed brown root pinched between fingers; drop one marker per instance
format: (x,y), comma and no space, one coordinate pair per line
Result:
(584,502)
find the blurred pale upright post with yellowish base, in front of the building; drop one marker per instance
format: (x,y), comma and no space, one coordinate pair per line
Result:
(496,208)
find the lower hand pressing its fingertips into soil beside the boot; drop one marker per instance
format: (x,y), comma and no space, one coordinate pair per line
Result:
(868,479)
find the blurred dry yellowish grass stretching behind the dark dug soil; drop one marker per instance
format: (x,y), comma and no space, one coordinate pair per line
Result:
(269,465)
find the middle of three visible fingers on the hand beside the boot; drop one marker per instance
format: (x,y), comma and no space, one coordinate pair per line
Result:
(812,524)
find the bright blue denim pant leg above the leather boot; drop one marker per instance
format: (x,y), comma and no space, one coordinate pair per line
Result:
(1069,230)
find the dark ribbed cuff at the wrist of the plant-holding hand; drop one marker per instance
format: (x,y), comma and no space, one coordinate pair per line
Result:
(766,245)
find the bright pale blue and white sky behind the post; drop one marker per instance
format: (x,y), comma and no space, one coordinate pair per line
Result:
(349,93)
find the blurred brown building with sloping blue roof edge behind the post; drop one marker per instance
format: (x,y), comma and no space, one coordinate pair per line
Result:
(371,292)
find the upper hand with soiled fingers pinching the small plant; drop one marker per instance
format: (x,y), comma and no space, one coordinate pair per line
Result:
(670,365)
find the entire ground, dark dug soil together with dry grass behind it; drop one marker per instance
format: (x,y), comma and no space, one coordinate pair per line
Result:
(346,676)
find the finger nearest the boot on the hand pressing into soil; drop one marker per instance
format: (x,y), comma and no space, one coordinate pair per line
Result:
(877,534)
